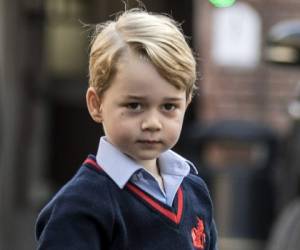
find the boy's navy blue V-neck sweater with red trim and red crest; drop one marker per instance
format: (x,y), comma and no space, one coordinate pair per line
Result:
(91,212)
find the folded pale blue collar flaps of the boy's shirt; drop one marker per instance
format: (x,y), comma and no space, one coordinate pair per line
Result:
(120,168)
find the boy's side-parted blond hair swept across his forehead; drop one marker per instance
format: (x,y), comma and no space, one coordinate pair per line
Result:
(156,37)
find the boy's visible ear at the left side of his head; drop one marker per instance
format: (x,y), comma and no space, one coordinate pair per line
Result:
(93,102)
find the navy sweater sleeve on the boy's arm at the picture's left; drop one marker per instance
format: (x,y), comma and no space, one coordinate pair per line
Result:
(78,217)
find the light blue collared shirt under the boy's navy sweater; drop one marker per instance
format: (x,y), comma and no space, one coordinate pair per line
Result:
(121,168)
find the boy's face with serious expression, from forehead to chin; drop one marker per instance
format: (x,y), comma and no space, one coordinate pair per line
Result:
(141,113)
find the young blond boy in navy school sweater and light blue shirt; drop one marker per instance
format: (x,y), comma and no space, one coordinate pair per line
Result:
(136,193)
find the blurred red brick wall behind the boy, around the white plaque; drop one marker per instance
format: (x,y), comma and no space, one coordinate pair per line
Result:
(261,94)
